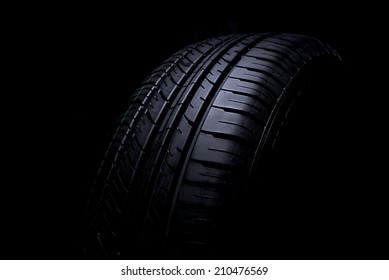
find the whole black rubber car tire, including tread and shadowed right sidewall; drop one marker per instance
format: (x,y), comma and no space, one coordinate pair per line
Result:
(199,142)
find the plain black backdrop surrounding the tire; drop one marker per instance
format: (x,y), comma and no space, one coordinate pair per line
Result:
(75,71)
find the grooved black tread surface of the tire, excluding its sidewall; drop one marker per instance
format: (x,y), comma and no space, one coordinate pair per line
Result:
(184,147)
